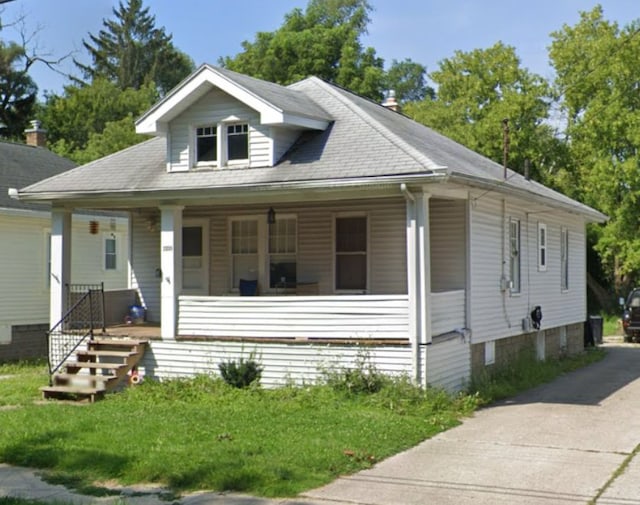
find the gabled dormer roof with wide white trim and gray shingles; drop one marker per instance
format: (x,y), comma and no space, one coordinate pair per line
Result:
(277,105)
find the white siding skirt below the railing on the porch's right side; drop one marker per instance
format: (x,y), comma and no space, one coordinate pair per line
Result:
(449,363)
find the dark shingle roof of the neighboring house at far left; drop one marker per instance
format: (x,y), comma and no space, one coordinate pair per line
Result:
(22,165)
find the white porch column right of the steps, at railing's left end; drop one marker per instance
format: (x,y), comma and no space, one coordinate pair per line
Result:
(171,265)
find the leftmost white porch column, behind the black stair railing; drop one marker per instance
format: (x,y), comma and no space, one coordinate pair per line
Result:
(60,264)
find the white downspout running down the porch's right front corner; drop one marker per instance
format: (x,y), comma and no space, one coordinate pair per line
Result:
(412,280)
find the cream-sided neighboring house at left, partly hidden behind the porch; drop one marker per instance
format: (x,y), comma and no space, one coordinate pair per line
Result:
(25,231)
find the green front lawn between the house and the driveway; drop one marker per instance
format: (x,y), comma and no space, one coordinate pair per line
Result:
(202,434)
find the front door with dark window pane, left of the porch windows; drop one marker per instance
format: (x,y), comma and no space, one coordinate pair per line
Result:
(195,257)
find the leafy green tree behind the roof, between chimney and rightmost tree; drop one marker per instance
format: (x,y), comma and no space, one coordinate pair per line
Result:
(476,91)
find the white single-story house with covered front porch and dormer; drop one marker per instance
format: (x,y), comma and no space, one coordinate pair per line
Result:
(365,233)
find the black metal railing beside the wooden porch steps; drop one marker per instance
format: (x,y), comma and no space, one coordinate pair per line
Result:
(86,313)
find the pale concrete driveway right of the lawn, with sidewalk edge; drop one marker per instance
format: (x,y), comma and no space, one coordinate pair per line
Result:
(573,441)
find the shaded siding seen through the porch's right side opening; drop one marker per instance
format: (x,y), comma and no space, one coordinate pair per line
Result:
(448,244)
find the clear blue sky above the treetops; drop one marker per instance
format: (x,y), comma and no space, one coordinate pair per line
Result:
(426,31)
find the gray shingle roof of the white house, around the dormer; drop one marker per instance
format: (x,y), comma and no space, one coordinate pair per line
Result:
(365,140)
